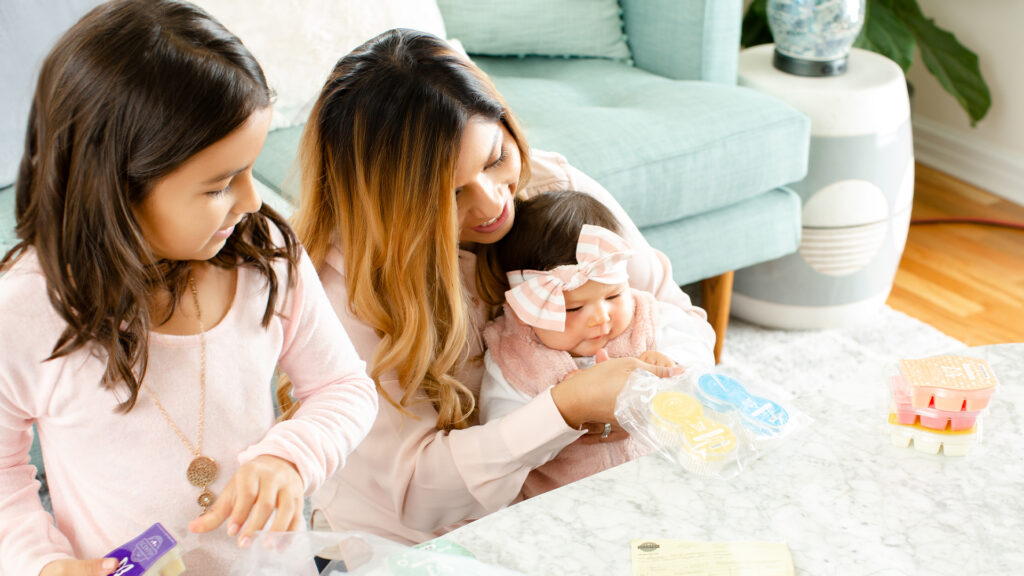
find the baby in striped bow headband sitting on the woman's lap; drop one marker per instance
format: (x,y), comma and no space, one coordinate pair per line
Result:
(571,302)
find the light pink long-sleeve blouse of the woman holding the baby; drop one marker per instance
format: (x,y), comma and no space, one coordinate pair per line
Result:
(411,482)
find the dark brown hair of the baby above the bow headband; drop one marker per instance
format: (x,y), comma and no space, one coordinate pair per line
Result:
(547,228)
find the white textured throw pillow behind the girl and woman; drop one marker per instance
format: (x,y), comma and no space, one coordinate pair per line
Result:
(298,43)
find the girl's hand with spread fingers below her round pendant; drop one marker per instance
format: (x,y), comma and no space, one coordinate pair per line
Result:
(266,486)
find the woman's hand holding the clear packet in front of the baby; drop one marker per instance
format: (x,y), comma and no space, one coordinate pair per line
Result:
(589,396)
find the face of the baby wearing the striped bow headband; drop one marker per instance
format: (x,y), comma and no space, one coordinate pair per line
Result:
(595,314)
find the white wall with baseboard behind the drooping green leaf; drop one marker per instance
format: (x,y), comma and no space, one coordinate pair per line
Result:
(992,155)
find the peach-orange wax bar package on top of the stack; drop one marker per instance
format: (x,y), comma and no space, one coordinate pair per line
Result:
(952,384)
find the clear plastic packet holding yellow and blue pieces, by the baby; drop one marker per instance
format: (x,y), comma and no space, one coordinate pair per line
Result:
(709,424)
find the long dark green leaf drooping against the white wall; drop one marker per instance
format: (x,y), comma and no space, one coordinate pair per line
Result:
(953,65)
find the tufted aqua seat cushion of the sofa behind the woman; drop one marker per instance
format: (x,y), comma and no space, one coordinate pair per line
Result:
(665,149)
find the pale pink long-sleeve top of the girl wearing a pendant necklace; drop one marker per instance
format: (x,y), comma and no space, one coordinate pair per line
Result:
(112,475)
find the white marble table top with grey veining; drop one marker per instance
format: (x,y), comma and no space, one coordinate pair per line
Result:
(843,499)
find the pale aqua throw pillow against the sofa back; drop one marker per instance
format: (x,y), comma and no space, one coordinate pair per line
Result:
(551,28)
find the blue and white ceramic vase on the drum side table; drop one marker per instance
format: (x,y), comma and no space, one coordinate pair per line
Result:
(814,37)
